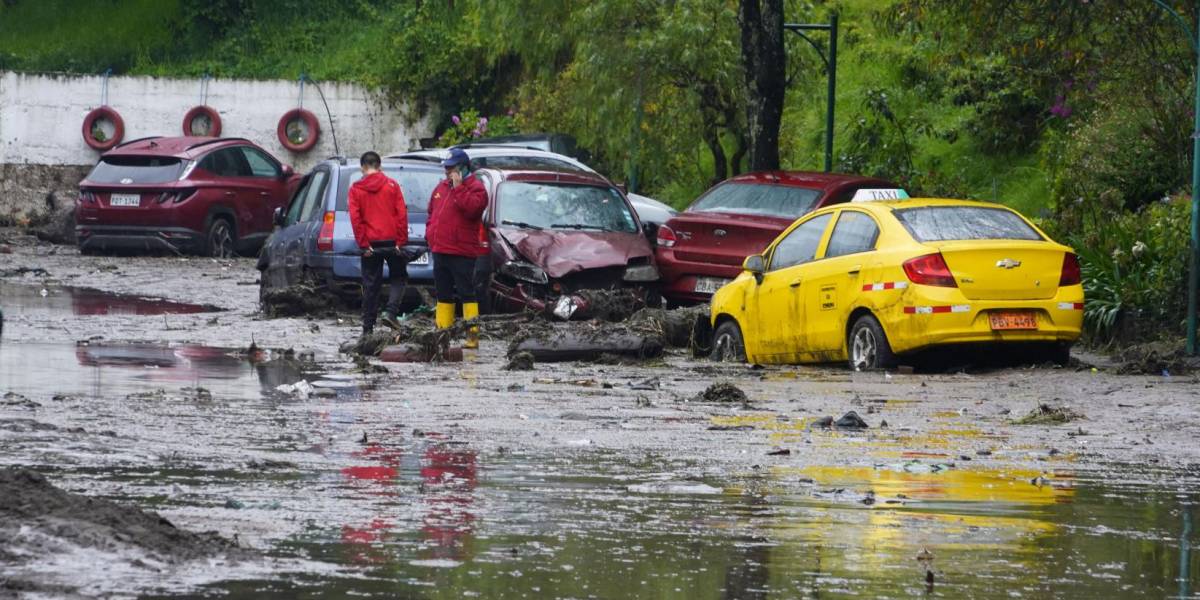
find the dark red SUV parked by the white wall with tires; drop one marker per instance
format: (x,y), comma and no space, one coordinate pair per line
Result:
(211,196)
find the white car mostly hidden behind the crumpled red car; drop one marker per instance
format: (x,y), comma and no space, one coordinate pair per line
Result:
(518,157)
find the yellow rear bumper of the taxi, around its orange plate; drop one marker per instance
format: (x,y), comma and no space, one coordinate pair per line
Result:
(945,317)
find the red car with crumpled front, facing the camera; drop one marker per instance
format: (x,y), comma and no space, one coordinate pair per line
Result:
(566,243)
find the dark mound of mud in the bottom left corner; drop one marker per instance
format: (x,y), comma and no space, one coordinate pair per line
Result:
(39,520)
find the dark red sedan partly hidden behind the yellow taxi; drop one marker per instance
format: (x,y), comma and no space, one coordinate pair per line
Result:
(703,249)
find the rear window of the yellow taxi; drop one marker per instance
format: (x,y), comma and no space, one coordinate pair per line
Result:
(944,224)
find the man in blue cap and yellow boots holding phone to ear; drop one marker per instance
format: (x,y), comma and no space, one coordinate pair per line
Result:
(457,219)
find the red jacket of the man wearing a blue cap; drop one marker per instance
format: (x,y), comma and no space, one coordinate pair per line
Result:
(457,219)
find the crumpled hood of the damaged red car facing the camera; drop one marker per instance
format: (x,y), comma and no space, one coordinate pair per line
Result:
(560,253)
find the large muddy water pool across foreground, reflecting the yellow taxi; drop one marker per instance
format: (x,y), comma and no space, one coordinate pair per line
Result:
(352,477)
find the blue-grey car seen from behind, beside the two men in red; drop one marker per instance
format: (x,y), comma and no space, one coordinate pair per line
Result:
(315,242)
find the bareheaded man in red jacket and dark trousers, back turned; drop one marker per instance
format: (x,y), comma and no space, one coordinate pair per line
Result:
(380,220)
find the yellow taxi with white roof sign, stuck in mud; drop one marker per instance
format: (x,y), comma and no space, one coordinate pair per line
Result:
(869,280)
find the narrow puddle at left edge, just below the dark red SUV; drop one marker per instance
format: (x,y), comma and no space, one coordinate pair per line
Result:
(49,301)
